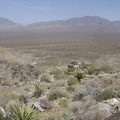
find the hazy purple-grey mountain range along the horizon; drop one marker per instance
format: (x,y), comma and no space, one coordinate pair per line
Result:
(80,25)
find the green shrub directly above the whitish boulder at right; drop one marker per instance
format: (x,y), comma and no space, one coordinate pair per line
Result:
(105,95)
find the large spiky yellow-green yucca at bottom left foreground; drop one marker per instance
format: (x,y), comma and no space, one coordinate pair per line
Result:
(22,112)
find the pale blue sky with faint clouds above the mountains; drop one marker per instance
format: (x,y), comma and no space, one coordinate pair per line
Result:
(30,11)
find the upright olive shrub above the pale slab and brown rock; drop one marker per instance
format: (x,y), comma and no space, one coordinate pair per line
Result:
(38,90)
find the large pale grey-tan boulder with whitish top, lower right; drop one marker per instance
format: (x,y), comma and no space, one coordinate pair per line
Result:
(101,110)
